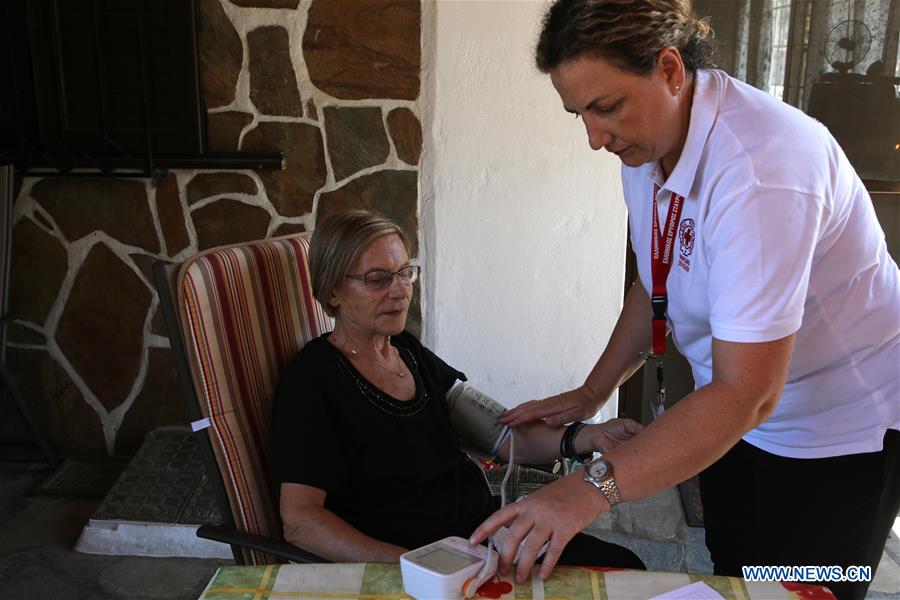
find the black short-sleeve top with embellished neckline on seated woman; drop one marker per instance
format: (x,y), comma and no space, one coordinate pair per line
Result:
(393,469)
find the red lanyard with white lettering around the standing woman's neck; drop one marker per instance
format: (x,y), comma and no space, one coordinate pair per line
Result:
(661,252)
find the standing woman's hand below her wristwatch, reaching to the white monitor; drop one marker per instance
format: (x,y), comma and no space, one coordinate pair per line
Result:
(555,512)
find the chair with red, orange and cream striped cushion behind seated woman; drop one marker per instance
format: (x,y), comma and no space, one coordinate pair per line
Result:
(243,312)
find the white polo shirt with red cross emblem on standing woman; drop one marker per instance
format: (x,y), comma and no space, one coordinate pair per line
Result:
(777,235)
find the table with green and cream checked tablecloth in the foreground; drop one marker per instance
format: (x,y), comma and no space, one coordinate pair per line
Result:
(373,581)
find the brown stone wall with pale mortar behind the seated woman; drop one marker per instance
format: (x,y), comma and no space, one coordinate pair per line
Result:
(333,83)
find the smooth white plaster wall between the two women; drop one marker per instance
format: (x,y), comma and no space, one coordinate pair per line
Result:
(523,226)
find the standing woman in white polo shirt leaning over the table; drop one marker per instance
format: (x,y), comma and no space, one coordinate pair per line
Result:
(767,265)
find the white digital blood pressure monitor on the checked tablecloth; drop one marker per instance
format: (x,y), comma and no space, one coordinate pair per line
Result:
(441,569)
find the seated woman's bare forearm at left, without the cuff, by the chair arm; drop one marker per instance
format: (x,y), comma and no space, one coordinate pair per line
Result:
(320,531)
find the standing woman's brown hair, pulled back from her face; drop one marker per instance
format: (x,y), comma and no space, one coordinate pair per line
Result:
(629,33)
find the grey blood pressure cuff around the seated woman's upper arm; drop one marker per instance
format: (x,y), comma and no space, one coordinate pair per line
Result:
(473,416)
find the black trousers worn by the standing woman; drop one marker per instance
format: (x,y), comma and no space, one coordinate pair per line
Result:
(763,509)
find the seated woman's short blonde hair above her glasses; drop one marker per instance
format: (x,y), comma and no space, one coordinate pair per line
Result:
(337,242)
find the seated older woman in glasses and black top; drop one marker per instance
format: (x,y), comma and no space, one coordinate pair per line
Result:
(366,444)
